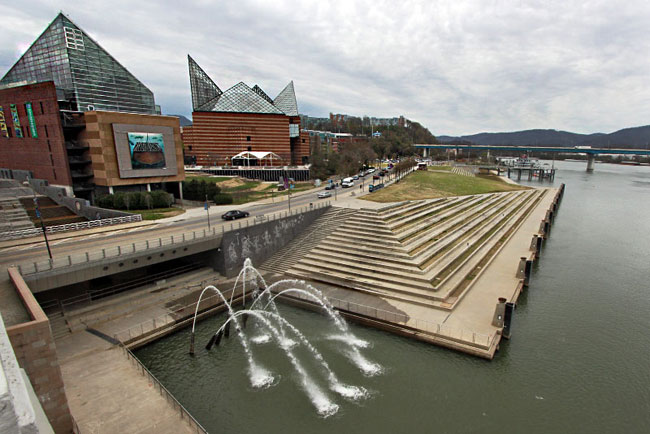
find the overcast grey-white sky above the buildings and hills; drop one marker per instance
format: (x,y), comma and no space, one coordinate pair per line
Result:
(456,66)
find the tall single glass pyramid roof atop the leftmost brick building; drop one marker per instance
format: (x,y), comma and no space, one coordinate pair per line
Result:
(82,71)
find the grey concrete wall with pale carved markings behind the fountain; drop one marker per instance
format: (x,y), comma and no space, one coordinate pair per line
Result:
(259,242)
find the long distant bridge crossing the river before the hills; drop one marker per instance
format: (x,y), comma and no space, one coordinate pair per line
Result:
(591,152)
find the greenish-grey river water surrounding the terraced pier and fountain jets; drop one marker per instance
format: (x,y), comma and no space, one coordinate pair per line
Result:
(578,360)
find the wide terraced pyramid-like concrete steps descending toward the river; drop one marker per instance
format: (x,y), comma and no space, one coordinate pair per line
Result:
(424,252)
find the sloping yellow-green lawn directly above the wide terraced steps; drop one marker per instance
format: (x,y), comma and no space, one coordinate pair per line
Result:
(439,183)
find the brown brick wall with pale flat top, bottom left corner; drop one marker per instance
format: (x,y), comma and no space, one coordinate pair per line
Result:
(35,351)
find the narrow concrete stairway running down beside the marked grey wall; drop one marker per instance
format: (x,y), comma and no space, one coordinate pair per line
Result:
(310,238)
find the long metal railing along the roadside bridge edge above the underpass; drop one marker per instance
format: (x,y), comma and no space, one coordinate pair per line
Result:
(143,246)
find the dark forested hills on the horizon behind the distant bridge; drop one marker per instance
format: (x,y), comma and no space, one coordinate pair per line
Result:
(637,137)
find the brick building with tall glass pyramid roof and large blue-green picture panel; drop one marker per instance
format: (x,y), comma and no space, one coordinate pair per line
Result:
(74,116)
